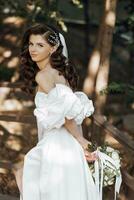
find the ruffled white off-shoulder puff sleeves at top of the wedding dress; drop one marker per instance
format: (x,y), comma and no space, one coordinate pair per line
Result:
(60,103)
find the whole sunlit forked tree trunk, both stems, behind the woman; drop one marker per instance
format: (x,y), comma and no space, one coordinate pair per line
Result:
(98,69)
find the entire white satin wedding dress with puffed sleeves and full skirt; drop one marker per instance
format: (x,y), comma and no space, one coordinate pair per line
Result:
(56,168)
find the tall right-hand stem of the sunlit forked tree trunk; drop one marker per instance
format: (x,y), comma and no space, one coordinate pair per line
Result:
(106,45)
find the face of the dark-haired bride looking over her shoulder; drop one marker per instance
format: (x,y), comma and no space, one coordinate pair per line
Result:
(39,49)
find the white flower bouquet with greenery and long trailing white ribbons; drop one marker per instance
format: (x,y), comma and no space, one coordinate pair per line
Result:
(106,169)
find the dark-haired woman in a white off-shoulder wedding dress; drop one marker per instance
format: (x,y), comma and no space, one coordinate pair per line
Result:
(56,168)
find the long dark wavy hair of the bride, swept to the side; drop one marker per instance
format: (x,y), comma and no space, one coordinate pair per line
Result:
(29,68)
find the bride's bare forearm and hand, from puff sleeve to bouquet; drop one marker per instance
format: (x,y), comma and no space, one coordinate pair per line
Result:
(73,129)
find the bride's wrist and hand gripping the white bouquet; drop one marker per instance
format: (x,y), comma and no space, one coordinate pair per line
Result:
(84,143)
